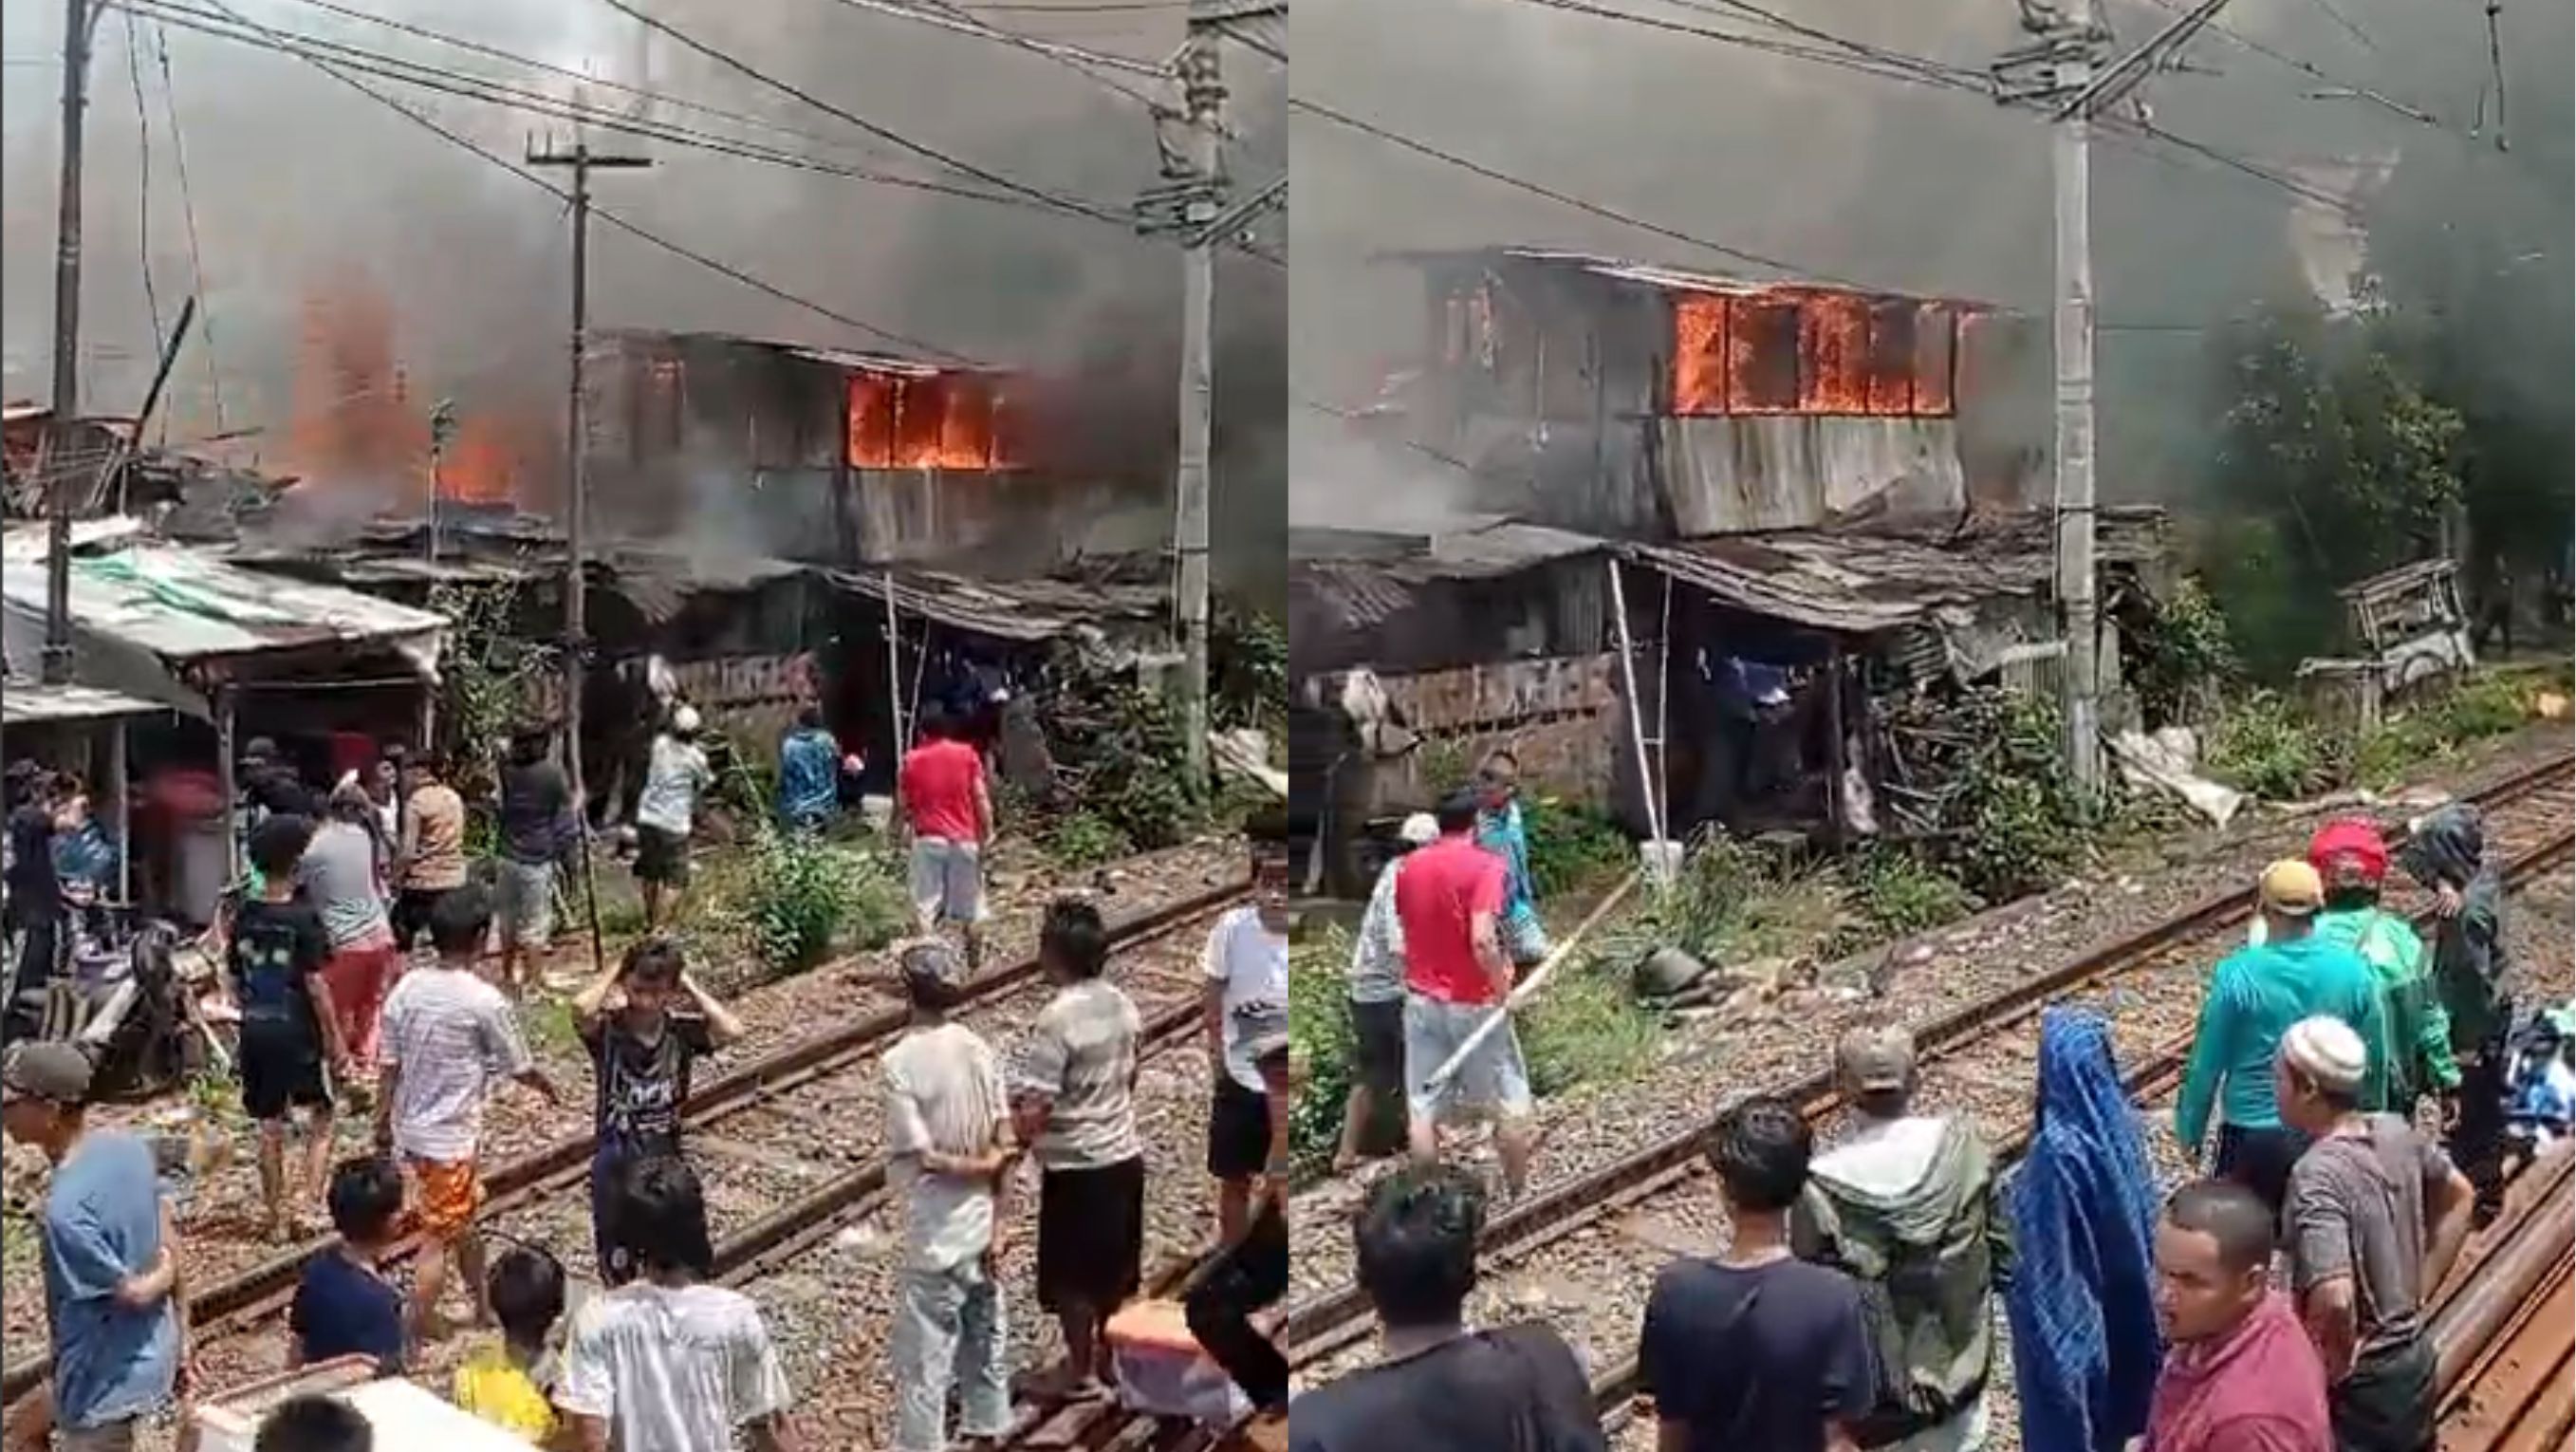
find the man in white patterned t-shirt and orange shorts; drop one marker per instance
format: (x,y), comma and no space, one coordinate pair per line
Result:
(447,1036)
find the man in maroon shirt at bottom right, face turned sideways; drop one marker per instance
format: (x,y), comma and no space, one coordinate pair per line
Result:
(2242,1373)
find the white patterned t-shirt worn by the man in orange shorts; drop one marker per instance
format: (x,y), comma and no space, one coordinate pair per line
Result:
(452,1036)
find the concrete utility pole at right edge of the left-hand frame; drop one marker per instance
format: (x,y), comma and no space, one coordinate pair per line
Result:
(1204,97)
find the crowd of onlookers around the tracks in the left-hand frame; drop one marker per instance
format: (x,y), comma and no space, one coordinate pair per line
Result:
(334,1008)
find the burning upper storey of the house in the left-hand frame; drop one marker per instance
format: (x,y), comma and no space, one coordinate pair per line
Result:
(846,460)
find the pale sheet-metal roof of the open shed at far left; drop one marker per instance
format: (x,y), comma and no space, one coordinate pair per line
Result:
(184,604)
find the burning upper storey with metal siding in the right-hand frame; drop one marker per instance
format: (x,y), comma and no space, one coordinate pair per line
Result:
(1655,403)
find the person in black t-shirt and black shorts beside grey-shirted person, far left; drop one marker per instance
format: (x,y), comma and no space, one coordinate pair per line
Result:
(290,1034)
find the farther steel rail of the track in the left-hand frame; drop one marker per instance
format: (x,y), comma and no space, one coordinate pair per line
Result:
(267,1286)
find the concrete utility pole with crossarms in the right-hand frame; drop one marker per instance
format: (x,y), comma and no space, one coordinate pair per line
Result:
(2067,73)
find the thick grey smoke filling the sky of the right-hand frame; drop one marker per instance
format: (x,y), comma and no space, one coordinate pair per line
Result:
(1905,187)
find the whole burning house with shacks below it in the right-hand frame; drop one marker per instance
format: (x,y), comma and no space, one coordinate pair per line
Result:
(1719,529)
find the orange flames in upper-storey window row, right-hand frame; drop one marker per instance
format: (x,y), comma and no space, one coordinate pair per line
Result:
(1812,351)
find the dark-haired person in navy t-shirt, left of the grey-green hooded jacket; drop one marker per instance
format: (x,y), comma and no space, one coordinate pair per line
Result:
(1758,1348)
